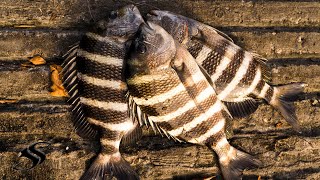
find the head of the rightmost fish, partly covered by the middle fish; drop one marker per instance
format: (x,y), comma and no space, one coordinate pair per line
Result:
(174,24)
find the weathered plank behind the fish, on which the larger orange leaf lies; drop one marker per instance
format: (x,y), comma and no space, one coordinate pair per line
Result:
(33,84)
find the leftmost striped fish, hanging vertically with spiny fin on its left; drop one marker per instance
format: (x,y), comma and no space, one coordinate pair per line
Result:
(93,75)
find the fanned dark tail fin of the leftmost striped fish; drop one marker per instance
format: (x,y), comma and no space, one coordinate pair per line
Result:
(107,167)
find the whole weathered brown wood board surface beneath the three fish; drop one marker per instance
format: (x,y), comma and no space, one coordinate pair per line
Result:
(285,32)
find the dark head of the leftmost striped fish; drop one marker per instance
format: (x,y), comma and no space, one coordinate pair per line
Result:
(122,23)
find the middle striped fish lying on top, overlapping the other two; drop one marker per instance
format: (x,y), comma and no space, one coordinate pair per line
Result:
(166,83)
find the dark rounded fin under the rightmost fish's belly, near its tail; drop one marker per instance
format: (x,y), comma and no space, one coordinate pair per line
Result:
(242,108)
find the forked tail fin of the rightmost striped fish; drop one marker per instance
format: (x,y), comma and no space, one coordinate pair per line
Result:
(282,100)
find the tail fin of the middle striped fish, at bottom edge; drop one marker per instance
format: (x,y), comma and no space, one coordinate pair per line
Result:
(233,168)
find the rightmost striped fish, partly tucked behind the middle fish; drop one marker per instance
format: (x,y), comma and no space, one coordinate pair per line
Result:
(238,76)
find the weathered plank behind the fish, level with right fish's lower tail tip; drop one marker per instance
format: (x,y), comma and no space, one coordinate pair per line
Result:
(33,119)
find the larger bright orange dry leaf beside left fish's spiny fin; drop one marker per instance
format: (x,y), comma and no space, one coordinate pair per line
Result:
(57,88)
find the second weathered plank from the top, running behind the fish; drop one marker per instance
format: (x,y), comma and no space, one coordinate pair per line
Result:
(21,44)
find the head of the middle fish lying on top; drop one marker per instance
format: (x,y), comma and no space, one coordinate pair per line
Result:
(152,50)
